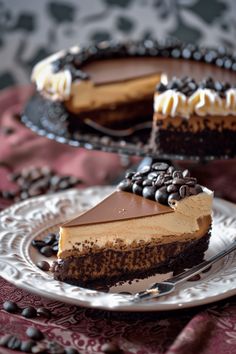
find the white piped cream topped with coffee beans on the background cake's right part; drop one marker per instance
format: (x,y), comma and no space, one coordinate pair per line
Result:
(183,98)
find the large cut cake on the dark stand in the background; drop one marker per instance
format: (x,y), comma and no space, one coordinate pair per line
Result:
(111,84)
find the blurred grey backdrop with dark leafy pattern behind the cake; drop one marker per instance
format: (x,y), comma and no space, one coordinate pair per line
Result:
(31,30)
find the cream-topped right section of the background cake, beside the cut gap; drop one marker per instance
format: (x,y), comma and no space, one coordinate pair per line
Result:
(193,118)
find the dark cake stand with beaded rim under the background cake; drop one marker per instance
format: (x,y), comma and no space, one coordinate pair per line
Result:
(51,120)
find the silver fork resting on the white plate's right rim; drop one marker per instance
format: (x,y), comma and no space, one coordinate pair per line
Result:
(167,286)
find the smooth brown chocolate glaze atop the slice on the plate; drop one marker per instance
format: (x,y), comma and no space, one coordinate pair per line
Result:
(119,206)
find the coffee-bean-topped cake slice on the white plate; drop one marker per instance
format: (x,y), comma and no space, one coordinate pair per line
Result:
(158,220)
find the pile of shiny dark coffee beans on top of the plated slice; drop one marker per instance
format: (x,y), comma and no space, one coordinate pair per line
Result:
(161,182)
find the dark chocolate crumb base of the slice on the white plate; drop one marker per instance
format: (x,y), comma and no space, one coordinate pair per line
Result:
(120,266)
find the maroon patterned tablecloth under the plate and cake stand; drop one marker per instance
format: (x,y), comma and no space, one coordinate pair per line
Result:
(208,329)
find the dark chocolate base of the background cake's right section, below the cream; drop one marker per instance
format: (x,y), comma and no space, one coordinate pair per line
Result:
(207,142)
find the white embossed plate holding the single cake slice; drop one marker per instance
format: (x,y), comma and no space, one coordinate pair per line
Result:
(24,221)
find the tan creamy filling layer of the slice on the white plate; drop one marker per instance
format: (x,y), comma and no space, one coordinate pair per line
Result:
(190,219)
